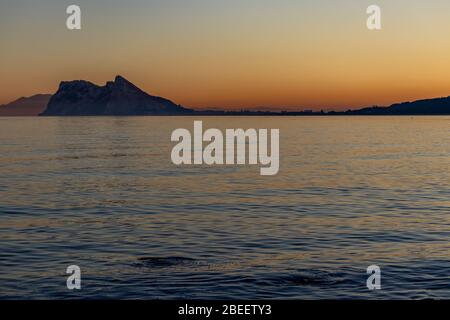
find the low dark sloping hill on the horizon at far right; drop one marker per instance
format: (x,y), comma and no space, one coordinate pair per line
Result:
(421,107)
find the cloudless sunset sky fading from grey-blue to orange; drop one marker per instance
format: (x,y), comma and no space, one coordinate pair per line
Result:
(232,53)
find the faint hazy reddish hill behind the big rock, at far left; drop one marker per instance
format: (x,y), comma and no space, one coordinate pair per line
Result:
(26,106)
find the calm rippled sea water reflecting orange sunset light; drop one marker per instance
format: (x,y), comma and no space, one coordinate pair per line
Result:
(103,194)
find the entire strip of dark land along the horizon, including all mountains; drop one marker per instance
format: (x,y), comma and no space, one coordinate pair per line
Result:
(122,98)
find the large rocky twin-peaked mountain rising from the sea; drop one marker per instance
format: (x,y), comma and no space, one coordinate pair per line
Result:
(118,98)
